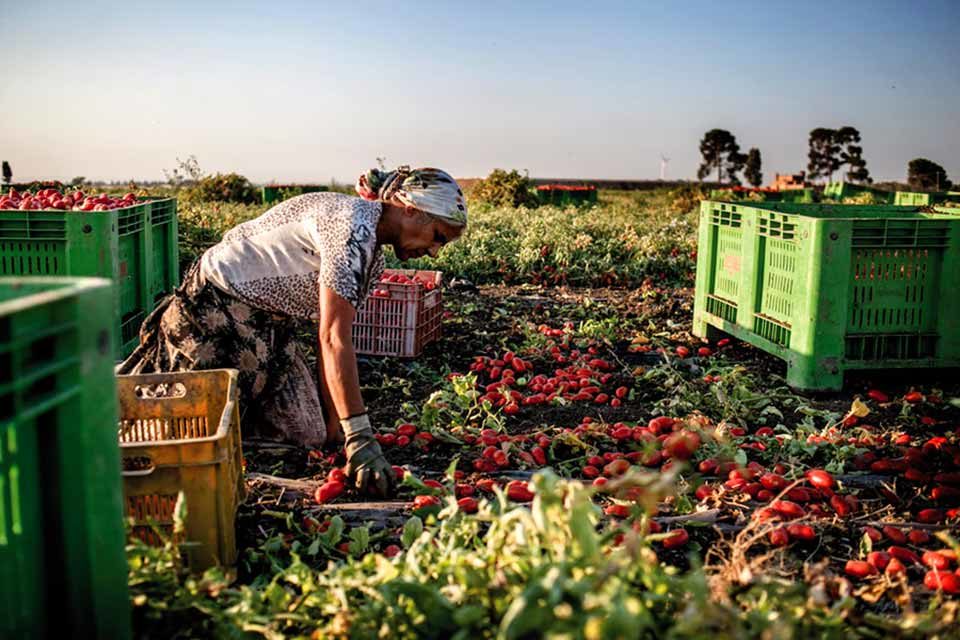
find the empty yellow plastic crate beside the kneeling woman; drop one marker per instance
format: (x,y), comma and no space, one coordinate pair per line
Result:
(181,432)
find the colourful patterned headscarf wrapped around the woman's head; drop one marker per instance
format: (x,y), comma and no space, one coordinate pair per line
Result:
(432,191)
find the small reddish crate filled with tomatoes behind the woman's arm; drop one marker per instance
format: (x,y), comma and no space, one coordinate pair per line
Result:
(400,319)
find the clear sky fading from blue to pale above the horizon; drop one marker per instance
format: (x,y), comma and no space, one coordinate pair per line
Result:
(308,91)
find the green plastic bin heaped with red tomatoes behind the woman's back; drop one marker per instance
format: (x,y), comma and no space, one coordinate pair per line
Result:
(134,246)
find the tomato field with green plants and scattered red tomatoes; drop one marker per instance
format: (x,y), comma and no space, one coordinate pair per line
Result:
(578,465)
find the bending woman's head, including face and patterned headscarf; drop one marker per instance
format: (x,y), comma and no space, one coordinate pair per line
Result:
(423,208)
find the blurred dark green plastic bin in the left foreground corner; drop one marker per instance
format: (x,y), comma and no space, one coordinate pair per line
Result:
(62,559)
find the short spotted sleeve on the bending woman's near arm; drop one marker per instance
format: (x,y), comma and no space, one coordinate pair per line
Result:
(348,257)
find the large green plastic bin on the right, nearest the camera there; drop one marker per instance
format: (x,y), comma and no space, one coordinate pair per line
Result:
(831,288)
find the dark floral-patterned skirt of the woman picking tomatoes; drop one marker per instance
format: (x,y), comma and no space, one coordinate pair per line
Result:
(200,327)
